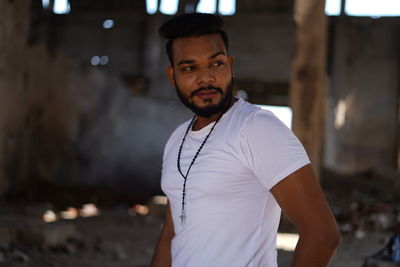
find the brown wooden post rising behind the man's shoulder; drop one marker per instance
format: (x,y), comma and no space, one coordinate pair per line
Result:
(308,80)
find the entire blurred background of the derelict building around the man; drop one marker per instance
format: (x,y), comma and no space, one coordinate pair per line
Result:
(85,111)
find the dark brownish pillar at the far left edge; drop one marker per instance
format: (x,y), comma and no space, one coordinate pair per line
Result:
(14,21)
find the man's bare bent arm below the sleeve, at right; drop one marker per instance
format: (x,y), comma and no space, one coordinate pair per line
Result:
(303,201)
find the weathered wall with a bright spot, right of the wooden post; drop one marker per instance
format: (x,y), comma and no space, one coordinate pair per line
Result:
(361,128)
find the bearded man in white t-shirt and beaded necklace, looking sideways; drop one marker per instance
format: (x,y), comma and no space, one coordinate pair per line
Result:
(230,170)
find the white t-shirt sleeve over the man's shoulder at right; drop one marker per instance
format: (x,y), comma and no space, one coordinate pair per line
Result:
(271,149)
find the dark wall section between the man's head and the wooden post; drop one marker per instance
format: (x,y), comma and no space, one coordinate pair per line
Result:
(263,46)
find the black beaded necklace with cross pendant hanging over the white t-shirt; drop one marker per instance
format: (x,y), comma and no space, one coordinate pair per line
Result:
(183,214)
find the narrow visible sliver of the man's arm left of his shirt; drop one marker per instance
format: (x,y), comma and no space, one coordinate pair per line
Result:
(162,253)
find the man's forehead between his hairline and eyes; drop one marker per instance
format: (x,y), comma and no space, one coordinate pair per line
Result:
(204,45)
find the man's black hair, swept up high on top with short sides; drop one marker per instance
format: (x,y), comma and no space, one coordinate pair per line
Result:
(191,25)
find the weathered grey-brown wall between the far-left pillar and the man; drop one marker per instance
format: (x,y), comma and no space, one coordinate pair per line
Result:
(90,129)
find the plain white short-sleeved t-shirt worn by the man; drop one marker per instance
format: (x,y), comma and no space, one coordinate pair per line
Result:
(231,216)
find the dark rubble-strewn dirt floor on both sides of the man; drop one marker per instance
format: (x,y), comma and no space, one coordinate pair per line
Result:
(366,206)
